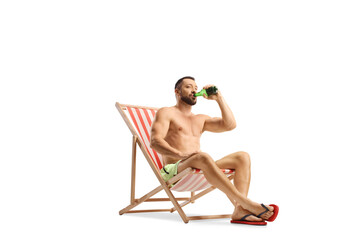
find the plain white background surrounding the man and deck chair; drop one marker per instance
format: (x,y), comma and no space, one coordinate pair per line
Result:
(288,69)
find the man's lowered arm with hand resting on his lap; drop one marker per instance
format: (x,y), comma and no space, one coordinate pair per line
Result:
(159,129)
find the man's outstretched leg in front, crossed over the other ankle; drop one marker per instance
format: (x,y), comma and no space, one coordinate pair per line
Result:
(217,178)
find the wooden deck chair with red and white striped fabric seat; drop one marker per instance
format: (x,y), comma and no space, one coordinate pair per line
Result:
(139,120)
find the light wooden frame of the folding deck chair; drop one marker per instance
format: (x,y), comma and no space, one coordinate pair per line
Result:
(163,185)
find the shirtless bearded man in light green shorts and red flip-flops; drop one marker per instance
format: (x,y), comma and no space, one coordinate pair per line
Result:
(176,133)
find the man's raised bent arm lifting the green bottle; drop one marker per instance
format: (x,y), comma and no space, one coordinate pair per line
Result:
(226,122)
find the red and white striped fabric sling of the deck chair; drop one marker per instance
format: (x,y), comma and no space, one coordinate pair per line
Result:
(141,119)
